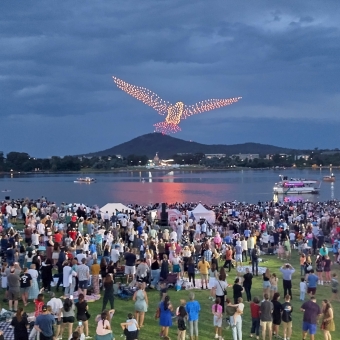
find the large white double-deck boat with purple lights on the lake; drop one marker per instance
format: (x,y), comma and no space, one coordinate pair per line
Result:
(296,186)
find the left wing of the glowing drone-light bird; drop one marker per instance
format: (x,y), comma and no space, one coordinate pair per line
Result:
(146,96)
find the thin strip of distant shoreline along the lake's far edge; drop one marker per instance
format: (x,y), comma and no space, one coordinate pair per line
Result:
(139,169)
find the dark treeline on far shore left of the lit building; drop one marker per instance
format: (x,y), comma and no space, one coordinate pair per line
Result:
(20,161)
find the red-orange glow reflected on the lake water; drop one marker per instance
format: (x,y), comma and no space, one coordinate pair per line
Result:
(143,193)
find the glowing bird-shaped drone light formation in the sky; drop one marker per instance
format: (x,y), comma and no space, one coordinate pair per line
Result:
(174,112)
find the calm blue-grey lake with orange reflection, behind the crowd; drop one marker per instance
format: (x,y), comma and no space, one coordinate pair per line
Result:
(163,186)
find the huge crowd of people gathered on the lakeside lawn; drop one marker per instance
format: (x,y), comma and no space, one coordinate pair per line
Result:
(83,251)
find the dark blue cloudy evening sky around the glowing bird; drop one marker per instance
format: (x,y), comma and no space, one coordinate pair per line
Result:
(57,59)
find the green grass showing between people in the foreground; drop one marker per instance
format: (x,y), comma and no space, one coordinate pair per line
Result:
(206,330)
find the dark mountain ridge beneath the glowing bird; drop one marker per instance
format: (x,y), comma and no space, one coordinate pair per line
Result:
(167,146)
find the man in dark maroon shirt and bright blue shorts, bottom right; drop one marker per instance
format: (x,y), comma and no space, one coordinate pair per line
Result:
(311,313)
